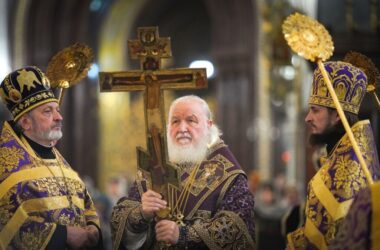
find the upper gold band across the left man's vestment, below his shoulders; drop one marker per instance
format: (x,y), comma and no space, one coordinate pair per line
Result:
(33,174)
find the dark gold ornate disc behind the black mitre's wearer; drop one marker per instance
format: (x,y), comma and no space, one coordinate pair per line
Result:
(69,66)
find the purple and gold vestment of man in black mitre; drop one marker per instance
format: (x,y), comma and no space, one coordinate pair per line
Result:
(37,195)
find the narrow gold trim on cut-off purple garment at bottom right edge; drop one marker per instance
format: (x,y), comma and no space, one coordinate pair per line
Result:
(375,196)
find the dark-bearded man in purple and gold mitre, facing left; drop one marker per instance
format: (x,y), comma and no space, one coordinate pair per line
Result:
(340,177)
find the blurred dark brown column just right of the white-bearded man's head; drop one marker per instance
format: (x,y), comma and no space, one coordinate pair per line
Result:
(234,51)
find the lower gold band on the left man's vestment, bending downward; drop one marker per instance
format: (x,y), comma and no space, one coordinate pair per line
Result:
(29,206)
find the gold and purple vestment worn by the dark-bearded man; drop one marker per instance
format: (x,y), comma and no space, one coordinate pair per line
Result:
(332,189)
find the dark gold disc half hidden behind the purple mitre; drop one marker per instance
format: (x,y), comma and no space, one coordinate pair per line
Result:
(373,75)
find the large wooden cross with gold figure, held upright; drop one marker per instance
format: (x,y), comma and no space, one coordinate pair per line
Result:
(151,79)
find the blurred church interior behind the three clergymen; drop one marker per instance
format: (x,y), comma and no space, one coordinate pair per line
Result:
(258,90)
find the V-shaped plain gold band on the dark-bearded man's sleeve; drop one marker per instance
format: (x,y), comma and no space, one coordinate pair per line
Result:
(336,209)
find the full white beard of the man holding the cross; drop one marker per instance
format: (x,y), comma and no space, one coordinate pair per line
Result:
(179,154)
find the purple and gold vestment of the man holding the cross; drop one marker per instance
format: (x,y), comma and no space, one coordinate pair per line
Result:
(218,213)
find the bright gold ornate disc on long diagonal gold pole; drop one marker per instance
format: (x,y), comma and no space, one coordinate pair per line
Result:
(309,39)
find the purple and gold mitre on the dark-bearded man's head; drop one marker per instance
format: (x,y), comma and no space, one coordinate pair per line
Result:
(349,83)
